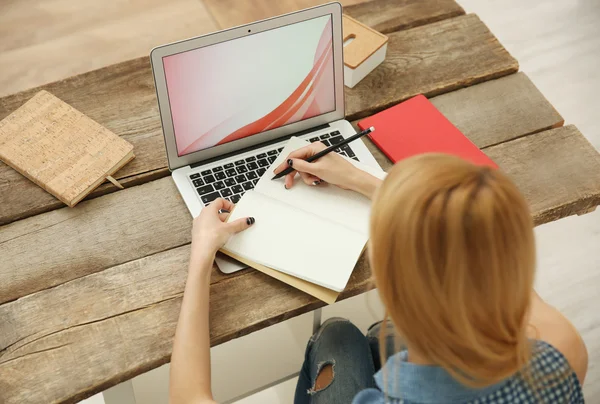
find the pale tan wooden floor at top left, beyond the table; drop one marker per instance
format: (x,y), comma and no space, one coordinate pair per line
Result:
(44,41)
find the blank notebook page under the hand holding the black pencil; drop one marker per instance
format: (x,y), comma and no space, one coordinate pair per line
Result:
(328,201)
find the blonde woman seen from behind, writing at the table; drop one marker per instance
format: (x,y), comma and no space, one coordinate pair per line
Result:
(452,253)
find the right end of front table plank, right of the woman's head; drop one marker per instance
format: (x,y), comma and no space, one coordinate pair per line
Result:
(558,171)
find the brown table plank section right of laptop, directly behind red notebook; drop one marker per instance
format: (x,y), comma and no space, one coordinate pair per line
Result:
(418,61)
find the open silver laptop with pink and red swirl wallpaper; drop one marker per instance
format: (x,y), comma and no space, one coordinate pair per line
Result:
(229,101)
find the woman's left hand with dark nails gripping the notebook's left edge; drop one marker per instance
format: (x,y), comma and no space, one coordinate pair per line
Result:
(211,231)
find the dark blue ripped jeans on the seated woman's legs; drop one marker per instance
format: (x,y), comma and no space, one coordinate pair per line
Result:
(340,349)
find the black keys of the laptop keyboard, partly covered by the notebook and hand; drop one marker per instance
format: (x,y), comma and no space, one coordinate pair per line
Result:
(230,181)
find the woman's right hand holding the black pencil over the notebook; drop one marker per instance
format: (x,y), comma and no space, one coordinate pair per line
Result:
(331,168)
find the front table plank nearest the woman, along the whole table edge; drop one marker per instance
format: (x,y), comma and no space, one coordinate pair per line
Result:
(120,322)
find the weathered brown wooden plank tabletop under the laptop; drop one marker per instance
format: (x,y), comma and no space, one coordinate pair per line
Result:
(89,296)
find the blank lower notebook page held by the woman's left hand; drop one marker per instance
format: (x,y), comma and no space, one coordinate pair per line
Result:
(296,242)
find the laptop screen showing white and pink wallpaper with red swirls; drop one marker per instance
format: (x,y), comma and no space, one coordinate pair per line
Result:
(234,89)
